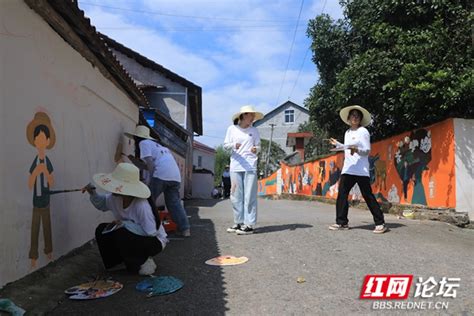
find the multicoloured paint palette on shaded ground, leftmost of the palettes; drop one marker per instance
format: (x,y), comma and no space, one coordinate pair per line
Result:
(93,290)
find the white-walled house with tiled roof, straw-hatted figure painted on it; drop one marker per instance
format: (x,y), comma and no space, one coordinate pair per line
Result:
(65,95)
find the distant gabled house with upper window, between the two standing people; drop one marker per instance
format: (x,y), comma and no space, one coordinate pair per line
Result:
(284,119)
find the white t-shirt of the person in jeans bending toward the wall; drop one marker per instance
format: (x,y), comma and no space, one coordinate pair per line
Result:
(166,167)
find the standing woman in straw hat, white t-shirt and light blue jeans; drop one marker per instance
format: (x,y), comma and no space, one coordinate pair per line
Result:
(244,141)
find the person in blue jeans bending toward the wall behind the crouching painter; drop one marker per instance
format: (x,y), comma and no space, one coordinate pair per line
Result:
(165,175)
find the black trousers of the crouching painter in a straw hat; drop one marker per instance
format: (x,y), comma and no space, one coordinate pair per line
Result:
(124,246)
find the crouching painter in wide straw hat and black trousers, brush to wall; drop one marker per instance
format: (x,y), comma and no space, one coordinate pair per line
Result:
(136,235)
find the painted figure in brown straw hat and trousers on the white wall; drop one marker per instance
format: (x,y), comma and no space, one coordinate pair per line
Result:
(40,134)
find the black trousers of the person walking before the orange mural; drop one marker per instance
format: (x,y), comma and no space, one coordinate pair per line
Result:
(346,182)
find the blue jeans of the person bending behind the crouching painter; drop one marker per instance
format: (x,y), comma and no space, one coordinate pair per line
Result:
(172,200)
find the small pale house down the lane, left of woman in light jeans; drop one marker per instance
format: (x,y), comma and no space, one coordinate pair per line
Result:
(203,170)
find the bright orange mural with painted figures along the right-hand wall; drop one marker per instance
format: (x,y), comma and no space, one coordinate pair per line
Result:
(404,169)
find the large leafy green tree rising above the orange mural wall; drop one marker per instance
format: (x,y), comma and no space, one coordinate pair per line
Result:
(410,63)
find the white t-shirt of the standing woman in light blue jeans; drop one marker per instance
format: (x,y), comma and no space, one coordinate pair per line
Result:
(242,159)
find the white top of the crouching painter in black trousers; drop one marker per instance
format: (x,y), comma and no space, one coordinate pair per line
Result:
(139,212)
